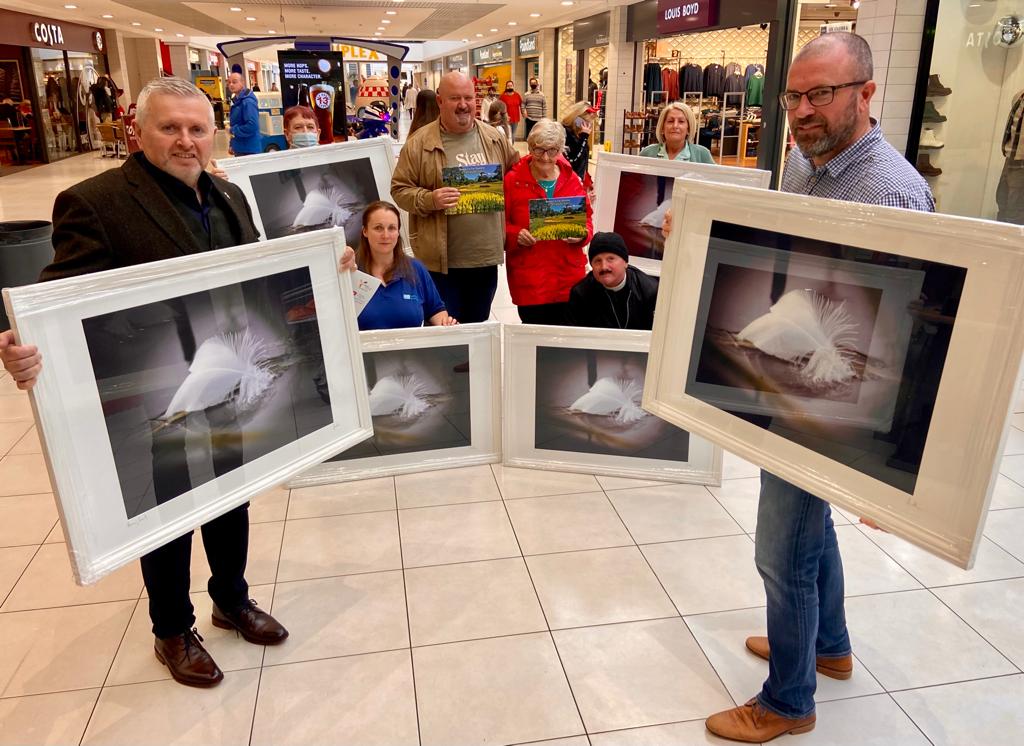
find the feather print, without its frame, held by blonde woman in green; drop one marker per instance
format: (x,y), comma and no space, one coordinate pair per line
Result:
(641,208)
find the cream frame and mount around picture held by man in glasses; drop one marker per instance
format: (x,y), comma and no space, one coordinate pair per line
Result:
(946,514)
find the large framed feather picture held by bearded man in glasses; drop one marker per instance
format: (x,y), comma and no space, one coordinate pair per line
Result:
(857,352)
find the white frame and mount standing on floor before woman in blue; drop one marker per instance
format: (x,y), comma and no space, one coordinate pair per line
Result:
(486,402)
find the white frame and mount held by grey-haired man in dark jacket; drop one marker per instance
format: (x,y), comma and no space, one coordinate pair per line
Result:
(69,413)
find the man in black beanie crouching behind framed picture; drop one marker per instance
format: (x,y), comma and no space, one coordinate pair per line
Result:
(614,295)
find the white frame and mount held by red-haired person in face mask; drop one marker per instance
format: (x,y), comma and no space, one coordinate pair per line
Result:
(379,150)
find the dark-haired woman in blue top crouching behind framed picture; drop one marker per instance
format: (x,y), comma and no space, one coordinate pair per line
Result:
(408,296)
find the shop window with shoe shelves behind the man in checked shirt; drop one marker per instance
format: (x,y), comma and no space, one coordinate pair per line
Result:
(966,122)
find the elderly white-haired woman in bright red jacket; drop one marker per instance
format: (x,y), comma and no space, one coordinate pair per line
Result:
(541,274)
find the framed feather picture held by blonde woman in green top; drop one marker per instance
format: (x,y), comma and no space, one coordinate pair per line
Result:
(635,193)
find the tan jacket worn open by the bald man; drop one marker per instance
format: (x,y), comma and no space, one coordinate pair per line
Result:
(419,173)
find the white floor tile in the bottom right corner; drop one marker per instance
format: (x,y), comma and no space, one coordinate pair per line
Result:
(968,714)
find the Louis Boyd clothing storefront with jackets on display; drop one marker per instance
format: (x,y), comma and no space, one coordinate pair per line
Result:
(727,62)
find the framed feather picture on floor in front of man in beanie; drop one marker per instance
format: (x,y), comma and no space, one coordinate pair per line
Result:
(573,405)
